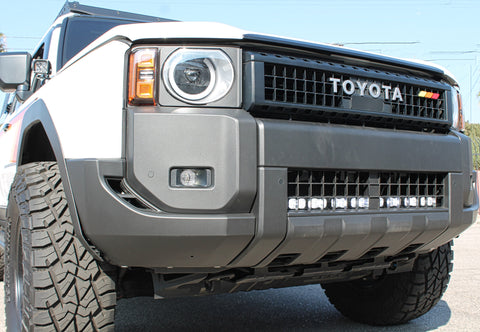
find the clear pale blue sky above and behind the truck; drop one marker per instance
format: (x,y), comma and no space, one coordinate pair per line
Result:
(446,32)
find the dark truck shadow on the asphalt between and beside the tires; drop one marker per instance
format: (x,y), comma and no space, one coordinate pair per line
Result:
(304,308)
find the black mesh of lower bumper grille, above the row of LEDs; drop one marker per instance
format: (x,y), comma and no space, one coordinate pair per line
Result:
(377,186)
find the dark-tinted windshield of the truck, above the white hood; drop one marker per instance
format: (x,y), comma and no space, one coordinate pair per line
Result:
(81,31)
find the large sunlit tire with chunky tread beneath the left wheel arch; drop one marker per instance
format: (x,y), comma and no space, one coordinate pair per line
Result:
(52,283)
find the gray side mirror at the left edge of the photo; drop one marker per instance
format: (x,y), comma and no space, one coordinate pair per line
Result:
(14,70)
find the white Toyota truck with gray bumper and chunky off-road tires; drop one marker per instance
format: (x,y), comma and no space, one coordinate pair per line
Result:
(144,156)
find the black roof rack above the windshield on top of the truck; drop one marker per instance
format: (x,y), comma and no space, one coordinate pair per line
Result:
(76,7)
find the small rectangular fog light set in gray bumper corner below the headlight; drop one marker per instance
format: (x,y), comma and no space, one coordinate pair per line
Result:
(191,177)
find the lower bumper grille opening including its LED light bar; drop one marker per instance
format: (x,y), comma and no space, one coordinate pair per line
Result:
(345,190)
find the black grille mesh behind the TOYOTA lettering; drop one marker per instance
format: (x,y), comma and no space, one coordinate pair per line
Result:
(311,87)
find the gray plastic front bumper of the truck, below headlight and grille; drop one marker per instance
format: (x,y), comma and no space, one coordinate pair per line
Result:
(252,227)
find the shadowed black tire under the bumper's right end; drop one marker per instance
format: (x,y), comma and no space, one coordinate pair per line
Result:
(396,298)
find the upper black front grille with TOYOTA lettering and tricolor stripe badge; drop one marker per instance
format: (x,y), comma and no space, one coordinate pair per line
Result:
(301,89)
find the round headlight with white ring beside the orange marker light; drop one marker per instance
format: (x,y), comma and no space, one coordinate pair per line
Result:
(198,76)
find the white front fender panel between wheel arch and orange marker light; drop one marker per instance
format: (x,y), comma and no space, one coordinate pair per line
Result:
(85,102)
